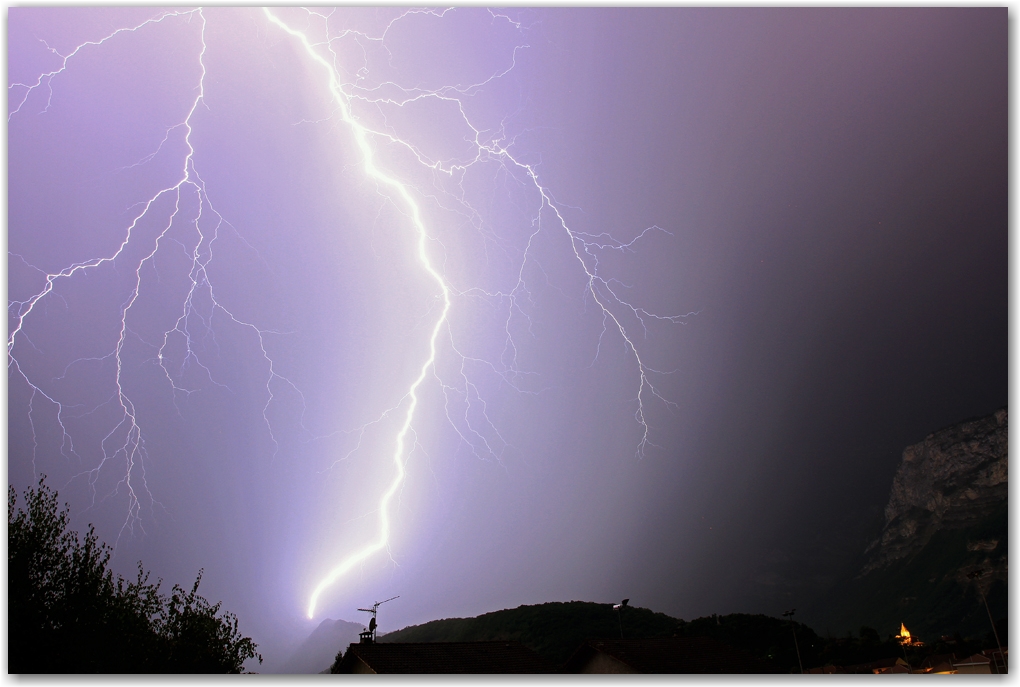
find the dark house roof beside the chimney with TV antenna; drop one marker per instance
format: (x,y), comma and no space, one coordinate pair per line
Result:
(465,658)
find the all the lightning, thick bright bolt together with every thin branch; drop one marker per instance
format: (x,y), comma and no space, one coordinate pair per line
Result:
(185,220)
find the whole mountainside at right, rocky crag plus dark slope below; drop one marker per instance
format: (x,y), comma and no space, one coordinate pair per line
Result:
(947,517)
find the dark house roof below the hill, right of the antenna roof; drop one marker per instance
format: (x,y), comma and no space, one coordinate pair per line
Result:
(672,655)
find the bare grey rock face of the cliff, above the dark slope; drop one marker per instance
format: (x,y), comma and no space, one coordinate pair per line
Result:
(950,481)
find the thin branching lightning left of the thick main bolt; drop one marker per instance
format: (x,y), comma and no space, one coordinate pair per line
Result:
(125,442)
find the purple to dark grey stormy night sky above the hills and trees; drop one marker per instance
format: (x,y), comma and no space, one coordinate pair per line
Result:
(708,273)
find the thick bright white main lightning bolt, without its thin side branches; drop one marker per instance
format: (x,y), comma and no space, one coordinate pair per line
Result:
(371,169)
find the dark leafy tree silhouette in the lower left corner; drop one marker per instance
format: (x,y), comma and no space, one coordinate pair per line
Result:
(69,613)
